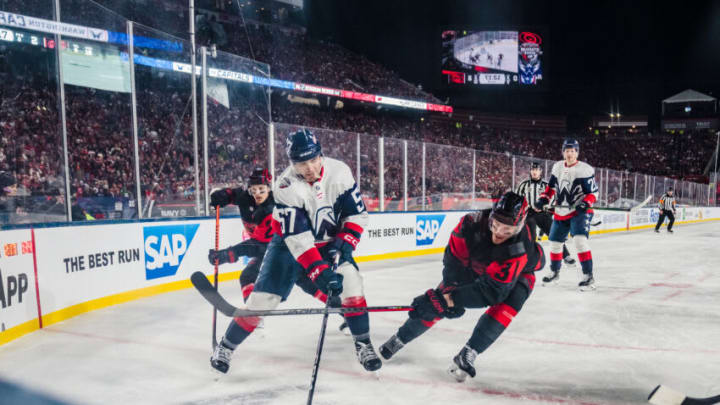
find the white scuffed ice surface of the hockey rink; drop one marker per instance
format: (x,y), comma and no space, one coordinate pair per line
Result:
(654,319)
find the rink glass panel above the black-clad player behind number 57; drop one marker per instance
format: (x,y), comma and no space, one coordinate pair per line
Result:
(237,121)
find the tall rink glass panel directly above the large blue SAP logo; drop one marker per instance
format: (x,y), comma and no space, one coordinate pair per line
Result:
(164,108)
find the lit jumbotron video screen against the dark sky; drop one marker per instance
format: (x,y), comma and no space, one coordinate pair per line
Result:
(492,58)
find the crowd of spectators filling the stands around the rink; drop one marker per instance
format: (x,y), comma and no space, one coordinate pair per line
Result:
(101,149)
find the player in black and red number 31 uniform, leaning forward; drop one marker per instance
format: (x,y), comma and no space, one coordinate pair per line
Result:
(489,262)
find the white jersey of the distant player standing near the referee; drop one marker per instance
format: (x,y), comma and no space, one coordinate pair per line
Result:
(570,185)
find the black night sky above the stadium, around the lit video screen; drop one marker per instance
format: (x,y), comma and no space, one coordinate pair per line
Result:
(598,53)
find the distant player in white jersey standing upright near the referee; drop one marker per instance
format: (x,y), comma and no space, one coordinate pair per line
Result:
(572,183)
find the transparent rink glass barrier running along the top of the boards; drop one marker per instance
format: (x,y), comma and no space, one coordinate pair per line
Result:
(104,119)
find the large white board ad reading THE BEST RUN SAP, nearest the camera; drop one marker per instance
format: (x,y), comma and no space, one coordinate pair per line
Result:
(89,262)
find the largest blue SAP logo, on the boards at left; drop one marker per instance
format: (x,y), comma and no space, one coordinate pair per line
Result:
(165,247)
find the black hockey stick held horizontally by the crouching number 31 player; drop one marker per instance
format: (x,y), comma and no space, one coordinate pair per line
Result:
(212,296)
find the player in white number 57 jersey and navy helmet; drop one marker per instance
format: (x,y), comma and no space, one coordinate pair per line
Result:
(320,214)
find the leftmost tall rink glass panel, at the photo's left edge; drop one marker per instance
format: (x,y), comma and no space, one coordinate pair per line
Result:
(31,165)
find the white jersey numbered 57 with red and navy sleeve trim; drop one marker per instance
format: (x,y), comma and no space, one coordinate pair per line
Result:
(311,215)
